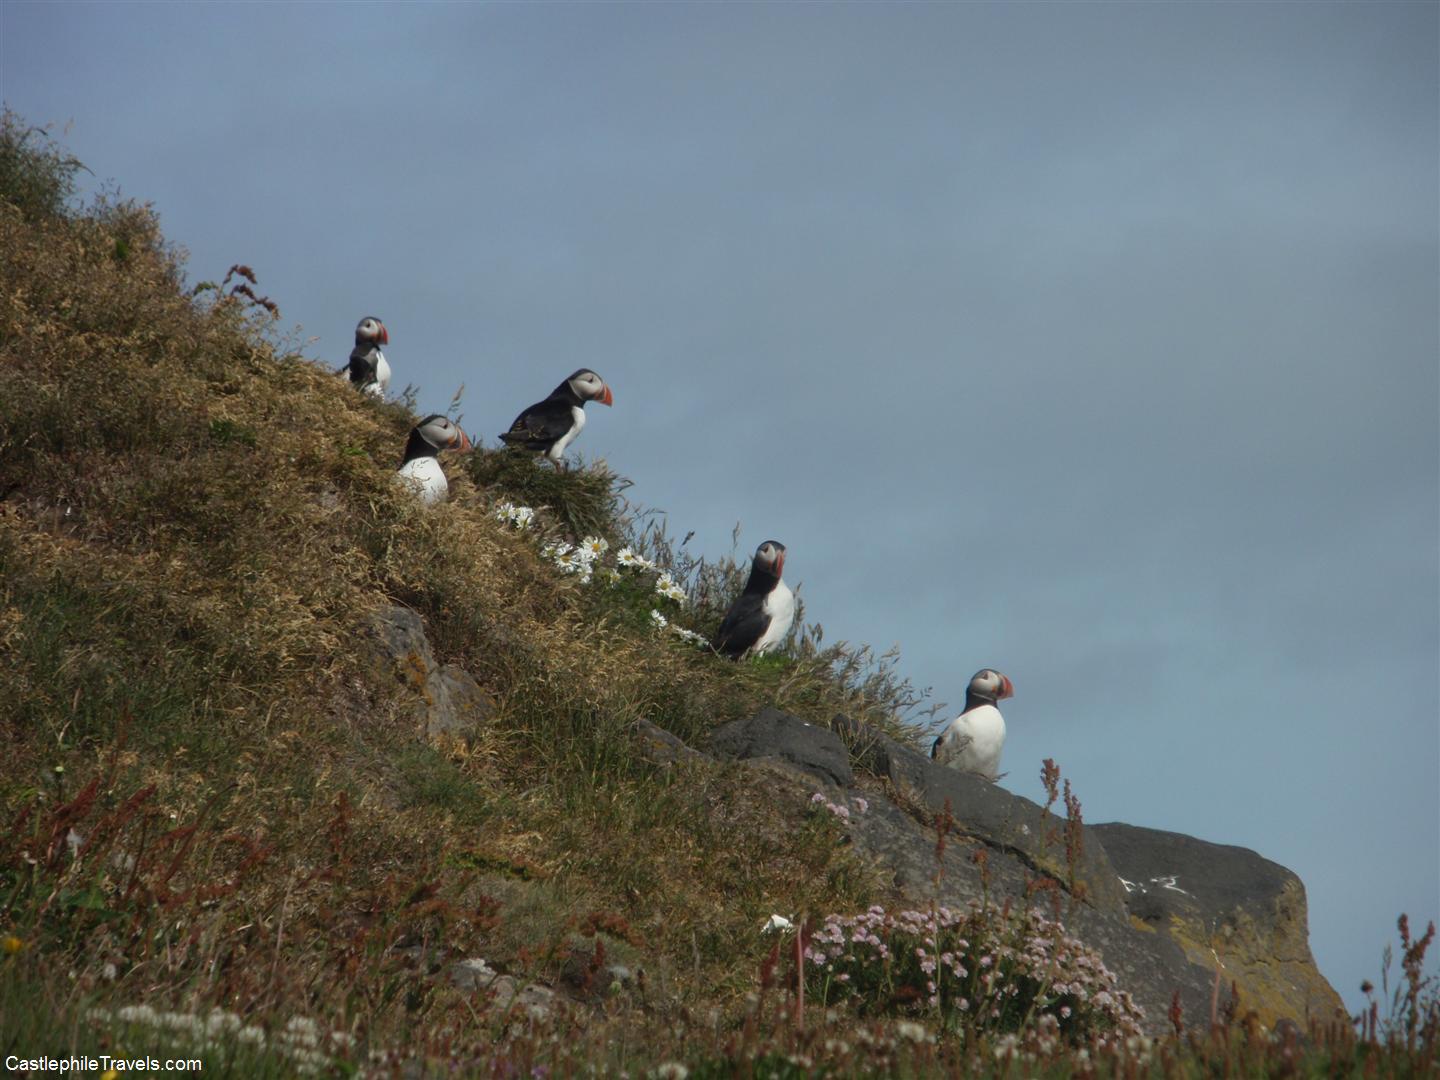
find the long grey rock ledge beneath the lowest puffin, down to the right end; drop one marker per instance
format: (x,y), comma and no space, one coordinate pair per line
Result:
(1157,953)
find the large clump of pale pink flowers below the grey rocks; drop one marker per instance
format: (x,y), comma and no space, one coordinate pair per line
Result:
(977,967)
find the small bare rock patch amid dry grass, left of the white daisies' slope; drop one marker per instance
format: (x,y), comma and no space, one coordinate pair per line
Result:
(447,701)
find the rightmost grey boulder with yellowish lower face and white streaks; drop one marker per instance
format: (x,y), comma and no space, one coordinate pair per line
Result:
(1232,912)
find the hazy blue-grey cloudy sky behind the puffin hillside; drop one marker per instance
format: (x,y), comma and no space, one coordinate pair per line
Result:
(1097,343)
